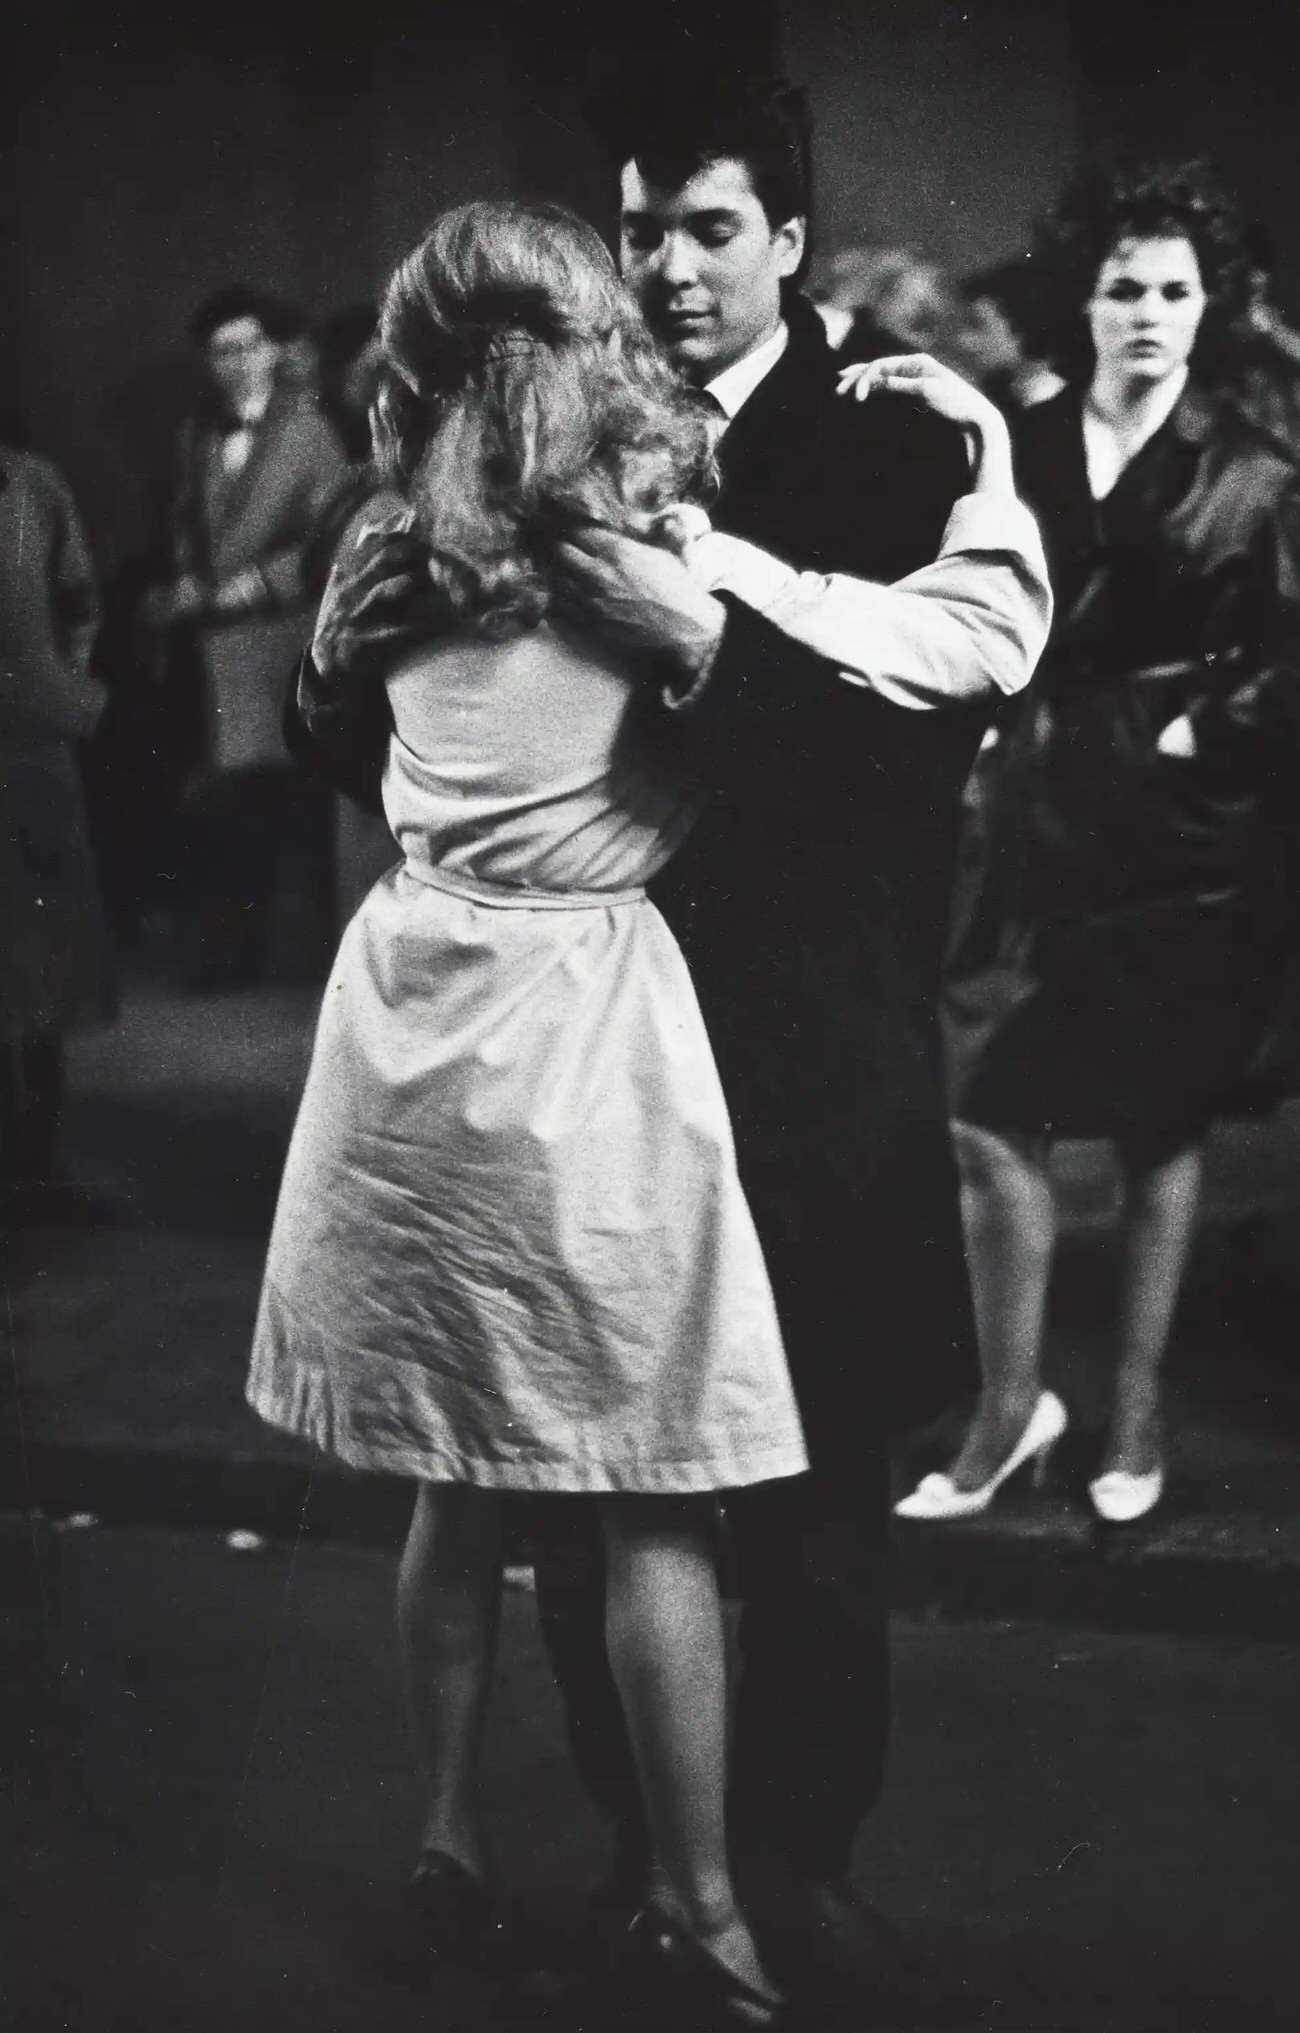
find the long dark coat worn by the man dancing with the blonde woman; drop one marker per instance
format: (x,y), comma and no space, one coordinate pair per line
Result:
(813,908)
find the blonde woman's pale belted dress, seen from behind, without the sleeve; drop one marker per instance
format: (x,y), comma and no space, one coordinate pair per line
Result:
(512,1247)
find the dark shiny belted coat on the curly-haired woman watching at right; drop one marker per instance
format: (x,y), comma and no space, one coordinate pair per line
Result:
(1128,918)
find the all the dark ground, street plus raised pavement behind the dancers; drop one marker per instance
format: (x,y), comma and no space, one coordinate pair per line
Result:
(213,1804)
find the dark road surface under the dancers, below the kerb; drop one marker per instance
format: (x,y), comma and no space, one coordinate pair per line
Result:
(213,1806)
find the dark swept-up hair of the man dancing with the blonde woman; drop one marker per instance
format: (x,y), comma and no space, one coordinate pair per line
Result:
(672,127)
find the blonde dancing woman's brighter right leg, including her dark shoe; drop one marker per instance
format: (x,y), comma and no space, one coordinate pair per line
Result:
(666,1644)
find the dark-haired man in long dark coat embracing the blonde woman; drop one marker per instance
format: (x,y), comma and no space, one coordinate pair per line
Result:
(813,910)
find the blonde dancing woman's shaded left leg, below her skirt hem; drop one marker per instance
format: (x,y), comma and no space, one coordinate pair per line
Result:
(449,1615)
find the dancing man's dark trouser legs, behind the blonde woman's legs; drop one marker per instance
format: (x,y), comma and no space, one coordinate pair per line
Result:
(813,1701)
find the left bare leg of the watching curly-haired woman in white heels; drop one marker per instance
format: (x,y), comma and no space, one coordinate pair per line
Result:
(1010,1225)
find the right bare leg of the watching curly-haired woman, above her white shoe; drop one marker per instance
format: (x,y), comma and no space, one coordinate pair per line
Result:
(1159,1223)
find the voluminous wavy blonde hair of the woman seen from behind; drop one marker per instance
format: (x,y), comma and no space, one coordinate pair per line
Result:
(520,397)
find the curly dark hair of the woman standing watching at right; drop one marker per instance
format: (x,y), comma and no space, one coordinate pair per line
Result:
(1124,196)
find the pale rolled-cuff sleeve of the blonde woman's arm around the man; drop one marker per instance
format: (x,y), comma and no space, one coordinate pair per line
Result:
(969,625)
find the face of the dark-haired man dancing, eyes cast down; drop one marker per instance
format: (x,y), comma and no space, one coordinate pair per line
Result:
(705,265)
